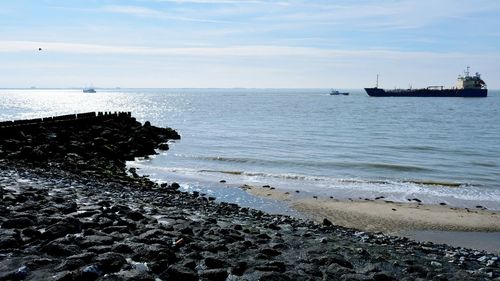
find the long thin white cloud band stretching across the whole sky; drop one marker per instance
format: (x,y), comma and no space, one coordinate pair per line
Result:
(232,51)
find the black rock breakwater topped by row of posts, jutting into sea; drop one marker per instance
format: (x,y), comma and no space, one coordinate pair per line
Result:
(89,144)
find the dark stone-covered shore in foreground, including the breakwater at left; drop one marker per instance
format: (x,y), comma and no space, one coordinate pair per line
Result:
(69,210)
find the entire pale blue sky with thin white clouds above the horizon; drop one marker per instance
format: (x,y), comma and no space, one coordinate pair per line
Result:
(247,43)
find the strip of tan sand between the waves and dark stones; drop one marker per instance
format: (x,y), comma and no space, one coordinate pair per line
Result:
(388,217)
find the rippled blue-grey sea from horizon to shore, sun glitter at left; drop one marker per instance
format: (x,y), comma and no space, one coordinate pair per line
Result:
(434,149)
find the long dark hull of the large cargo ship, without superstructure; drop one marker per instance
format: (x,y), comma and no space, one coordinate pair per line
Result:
(462,93)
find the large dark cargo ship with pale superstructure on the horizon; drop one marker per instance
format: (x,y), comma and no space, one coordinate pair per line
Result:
(467,87)
